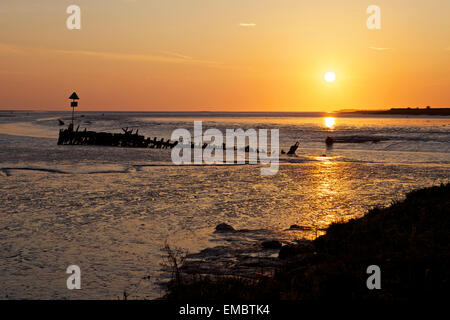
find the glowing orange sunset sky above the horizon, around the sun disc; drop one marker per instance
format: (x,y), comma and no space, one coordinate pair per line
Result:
(227,55)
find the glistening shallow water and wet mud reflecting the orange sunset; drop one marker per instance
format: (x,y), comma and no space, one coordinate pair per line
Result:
(110,210)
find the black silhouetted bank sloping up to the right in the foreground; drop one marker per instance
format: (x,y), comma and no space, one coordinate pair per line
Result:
(409,241)
